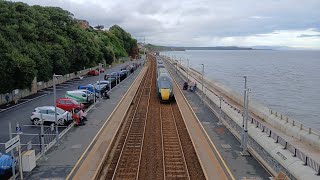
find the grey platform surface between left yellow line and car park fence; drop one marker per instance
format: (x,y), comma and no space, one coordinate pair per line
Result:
(62,159)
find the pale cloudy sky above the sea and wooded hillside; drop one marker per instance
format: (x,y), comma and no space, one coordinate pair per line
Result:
(293,23)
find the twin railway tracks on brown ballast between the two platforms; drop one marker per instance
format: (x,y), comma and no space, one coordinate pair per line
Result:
(153,142)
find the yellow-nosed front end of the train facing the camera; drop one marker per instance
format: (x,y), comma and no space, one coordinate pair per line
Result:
(165,91)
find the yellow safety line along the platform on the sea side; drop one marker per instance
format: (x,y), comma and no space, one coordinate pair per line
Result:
(208,137)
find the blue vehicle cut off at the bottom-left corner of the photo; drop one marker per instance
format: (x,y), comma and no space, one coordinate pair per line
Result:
(6,163)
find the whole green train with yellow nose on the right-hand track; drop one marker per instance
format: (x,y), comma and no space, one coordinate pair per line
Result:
(164,83)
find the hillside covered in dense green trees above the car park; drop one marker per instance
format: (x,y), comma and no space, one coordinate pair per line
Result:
(39,41)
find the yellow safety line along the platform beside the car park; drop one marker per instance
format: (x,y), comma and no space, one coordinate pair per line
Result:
(103,126)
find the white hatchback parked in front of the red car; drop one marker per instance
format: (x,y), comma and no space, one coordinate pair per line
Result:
(63,117)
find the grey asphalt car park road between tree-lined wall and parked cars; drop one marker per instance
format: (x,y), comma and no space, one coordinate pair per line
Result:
(21,114)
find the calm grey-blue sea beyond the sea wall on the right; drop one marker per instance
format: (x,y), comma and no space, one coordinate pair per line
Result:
(287,81)
